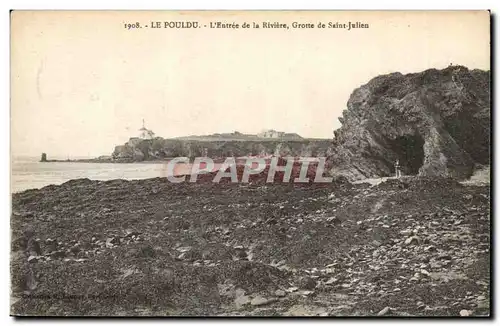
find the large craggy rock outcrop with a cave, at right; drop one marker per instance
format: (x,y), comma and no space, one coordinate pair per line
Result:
(436,123)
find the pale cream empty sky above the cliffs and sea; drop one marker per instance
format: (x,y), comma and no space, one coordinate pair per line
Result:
(81,82)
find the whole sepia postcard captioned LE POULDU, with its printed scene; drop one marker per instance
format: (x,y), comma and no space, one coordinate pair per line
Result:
(250,163)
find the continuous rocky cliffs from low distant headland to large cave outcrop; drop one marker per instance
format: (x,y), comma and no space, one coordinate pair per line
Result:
(434,122)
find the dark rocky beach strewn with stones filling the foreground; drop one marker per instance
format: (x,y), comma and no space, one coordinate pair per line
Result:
(410,247)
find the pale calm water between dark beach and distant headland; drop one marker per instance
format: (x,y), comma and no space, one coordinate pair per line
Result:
(28,173)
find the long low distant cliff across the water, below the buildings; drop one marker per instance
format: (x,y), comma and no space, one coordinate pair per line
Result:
(136,150)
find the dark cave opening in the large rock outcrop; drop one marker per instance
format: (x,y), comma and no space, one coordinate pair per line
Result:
(410,152)
